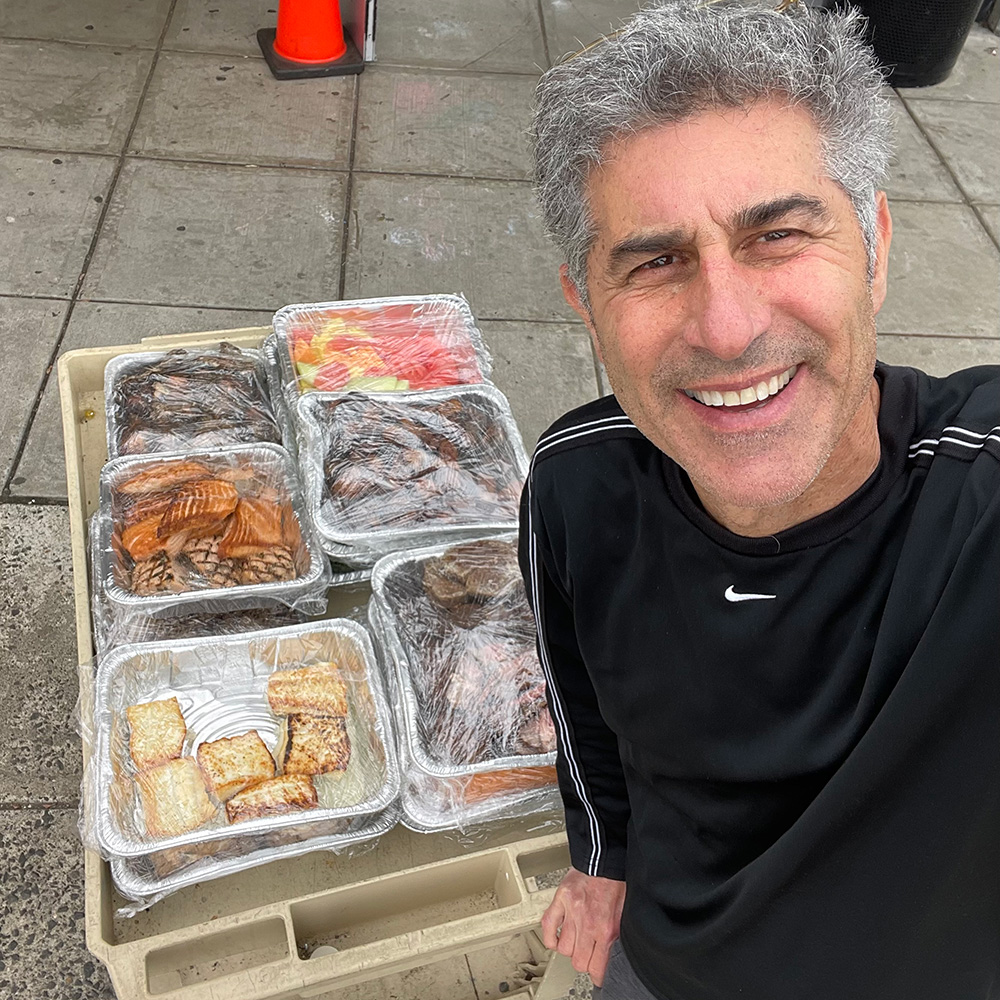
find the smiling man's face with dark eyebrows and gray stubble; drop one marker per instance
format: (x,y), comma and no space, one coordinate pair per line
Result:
(728,267)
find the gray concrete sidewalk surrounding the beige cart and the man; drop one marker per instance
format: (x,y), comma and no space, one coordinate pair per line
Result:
(154,178)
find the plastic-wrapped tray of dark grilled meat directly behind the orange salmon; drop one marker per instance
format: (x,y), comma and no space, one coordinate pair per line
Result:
(187,400)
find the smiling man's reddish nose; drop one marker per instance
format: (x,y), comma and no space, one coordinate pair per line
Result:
(727,310)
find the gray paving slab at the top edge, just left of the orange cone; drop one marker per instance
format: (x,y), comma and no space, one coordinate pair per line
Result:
(218,26)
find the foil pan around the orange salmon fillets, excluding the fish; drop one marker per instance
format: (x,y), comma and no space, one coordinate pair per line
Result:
(272,465)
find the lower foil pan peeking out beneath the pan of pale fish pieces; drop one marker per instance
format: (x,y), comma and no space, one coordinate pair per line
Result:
(153,875)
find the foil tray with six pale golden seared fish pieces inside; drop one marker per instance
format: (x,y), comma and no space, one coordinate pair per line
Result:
(203,741)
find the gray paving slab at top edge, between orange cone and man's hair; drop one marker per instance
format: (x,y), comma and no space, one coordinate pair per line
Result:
(504,36)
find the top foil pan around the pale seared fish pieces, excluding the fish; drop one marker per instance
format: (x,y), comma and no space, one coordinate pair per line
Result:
(220,685)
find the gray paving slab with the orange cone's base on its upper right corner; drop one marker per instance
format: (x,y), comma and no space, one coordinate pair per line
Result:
(231,109)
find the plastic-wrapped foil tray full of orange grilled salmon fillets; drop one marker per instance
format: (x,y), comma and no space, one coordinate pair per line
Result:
(209,532)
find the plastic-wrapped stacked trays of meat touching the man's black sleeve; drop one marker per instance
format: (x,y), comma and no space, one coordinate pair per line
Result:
(476,739)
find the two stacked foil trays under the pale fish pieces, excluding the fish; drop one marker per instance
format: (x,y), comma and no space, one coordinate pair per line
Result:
(220,686)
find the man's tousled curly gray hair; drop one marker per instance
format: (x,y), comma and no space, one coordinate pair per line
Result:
(678,58)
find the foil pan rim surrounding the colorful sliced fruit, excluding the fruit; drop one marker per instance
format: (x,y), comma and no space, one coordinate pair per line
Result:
(447,316)
